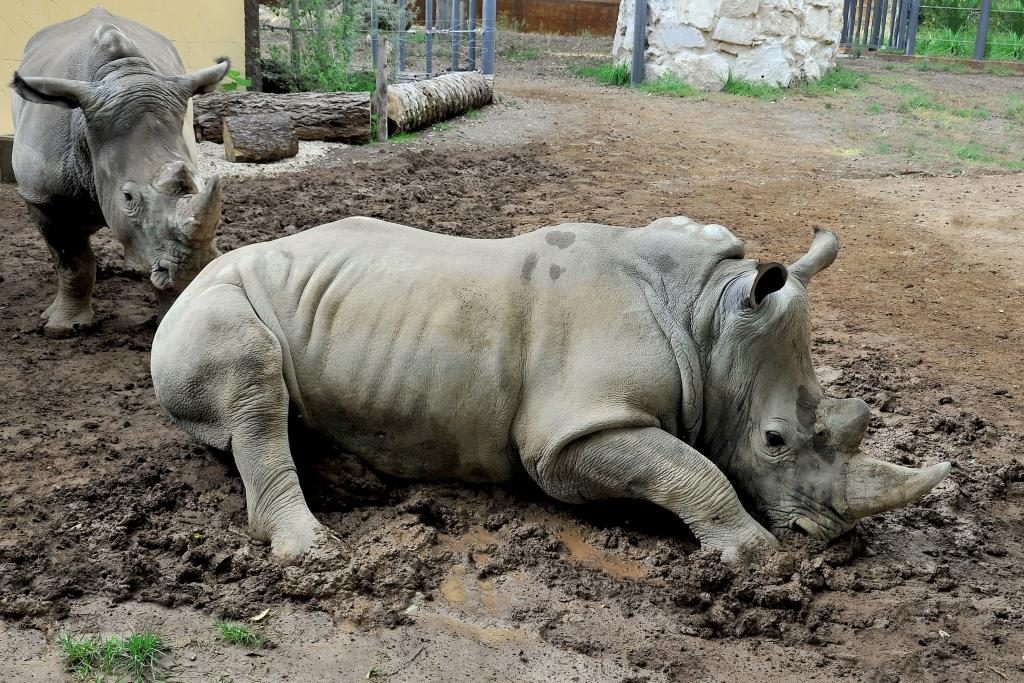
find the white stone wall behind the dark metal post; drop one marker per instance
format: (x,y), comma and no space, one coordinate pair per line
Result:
(777,42)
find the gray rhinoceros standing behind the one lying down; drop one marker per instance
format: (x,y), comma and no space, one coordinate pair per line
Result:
(104,136)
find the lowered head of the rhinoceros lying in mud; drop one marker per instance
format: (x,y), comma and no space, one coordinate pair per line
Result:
(791,450)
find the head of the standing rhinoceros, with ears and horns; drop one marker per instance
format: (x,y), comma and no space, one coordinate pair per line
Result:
(143,167)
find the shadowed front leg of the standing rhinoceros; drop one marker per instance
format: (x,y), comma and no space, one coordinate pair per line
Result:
(75,264)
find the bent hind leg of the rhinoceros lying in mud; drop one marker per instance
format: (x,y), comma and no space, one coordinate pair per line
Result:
(219,371)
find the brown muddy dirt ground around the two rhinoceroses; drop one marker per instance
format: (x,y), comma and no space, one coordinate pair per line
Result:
(112,520)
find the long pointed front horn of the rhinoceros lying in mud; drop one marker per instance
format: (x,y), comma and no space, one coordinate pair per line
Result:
(874,486)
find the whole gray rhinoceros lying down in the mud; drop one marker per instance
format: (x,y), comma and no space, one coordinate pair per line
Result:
(607,363)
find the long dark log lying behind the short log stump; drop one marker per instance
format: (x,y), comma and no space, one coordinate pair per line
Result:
(336,117)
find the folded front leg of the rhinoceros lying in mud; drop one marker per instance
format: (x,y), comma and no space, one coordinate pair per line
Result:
(653,465)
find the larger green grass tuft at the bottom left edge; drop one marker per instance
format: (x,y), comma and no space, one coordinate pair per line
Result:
(136,658)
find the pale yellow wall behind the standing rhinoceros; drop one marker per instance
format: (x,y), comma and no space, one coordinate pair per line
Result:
(201,30)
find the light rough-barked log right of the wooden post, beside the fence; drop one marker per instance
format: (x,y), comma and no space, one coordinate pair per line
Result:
(420,104)
